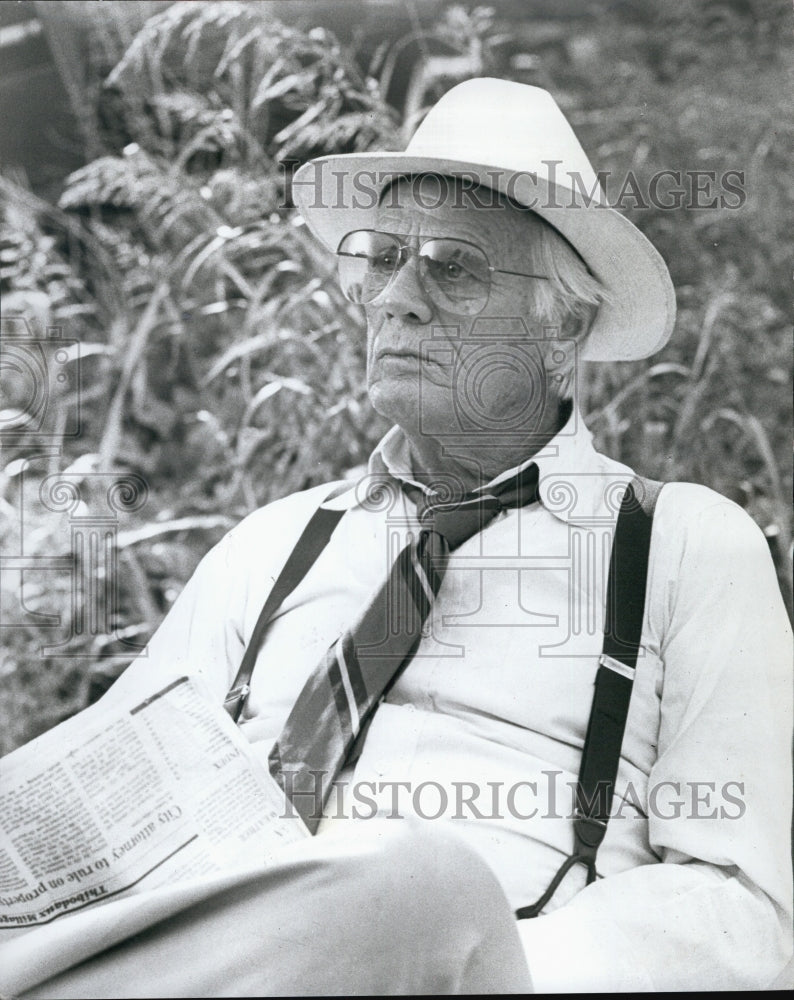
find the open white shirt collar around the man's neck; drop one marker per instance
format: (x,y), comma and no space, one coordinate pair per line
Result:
(577,484)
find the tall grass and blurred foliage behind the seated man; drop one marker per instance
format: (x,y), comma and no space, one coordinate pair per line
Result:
(219,362)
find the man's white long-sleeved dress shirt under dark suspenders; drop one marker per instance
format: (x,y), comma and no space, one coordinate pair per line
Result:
(484,729)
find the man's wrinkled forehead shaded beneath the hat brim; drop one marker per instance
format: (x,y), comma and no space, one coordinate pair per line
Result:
(437,205)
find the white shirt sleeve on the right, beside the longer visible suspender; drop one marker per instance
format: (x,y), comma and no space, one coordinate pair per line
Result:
(716,912)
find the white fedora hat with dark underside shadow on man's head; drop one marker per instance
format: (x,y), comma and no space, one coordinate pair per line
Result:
(513,138)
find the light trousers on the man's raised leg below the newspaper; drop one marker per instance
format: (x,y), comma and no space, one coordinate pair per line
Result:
(384,907)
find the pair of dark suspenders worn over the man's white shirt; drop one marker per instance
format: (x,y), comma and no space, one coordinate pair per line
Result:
(625,608)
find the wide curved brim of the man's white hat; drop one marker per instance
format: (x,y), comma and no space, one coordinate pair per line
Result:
(634,321)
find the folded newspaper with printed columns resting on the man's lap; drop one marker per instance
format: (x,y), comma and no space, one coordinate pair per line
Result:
(130,797)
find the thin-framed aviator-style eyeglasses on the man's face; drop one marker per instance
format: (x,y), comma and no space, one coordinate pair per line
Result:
(455,274)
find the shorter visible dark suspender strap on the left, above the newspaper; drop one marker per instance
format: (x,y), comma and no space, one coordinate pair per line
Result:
(311,543)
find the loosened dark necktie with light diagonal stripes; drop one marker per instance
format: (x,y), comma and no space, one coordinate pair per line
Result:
(342,693)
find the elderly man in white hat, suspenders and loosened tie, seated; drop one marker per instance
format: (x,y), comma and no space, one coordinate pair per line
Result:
(444,675)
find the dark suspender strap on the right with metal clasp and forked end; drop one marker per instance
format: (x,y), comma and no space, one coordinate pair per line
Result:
(625,610)
